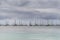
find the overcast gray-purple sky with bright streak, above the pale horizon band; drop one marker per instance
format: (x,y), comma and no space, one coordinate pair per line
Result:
(29,9)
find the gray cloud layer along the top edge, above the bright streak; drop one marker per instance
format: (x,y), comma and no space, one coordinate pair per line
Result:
(34,3)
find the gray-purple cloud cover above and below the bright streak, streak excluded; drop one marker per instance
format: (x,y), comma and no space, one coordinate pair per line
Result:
(7,9)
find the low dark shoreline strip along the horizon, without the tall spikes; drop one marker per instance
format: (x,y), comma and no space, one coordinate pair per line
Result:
(30,24)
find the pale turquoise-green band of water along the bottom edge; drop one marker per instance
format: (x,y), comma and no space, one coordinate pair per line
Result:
(29,36)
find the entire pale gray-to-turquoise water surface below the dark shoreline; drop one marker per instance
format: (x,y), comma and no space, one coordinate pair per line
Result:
(44,33)
